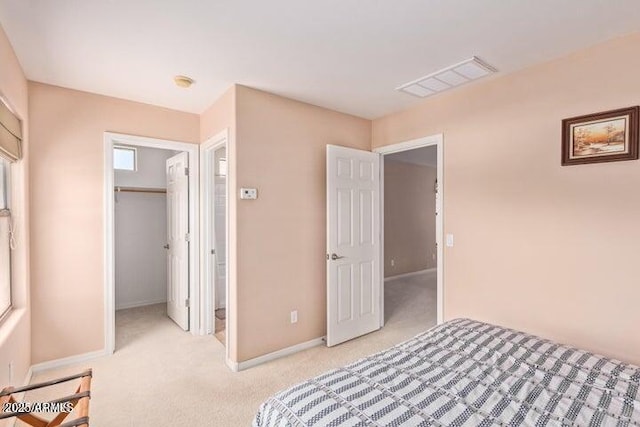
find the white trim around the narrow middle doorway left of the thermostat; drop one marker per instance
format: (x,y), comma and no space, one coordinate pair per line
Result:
(208,286)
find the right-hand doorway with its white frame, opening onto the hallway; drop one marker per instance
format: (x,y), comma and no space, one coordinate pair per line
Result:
(412,228)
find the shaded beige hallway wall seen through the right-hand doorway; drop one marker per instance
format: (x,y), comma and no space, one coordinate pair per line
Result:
(409,217)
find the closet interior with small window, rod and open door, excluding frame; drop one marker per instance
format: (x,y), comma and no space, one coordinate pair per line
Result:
(151,250)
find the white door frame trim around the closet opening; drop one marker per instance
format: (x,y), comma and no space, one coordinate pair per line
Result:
(111,139)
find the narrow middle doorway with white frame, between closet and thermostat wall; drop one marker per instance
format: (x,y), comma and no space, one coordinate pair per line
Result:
(214,164)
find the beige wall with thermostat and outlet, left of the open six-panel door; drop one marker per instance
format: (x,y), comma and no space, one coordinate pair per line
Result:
(281,236)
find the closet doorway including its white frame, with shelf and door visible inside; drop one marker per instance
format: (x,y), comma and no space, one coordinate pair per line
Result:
(151,231)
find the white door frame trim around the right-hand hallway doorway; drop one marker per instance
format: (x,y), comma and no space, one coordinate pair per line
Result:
(427,141)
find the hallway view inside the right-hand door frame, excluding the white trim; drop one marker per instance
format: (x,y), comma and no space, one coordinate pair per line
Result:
(410,290)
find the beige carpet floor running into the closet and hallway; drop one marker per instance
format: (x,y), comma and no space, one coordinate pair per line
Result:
(162,376)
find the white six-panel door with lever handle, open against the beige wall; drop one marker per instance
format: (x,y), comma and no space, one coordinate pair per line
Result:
(353,243)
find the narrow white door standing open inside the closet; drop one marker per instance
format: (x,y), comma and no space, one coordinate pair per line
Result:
(178,240)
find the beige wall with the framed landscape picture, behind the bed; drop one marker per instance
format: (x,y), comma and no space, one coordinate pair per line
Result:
(547,249)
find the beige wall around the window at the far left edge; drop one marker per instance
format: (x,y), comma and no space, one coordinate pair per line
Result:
(15,331)
